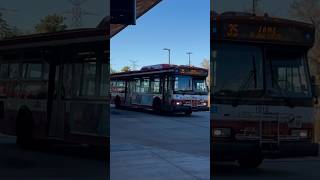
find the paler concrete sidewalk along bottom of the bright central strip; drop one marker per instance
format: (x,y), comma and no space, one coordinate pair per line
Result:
(145,163)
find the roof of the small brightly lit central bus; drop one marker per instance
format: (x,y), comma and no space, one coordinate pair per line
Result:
(163,68)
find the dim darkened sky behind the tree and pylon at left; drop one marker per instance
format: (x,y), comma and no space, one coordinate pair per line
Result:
(29,12)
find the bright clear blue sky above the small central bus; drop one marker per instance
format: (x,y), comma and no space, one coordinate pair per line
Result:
(181,27)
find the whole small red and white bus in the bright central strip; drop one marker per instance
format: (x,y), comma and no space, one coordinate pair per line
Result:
(162,87)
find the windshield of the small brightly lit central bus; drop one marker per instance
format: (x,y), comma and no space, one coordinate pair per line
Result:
(190,84)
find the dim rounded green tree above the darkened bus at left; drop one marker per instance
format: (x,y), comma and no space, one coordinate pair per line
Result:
(51,23)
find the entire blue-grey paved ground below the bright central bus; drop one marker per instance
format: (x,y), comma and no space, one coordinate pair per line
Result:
(147,146)
